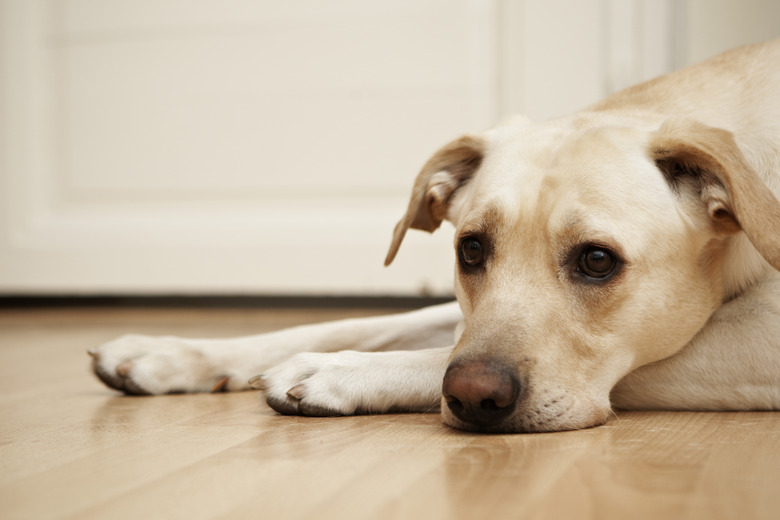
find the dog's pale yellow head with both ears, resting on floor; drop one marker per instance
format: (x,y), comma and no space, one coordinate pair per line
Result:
(584,250)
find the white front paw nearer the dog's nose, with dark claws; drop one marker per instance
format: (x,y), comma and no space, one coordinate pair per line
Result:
(316,384)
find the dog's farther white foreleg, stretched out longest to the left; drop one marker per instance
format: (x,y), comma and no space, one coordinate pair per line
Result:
(159,365)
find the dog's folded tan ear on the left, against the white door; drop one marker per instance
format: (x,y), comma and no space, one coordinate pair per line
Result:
(449,169)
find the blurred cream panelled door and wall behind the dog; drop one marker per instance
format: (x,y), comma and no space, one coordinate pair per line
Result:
(237,147)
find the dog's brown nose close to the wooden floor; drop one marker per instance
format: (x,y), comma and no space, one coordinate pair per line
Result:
(481,393)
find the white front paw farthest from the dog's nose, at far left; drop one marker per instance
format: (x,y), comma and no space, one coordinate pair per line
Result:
(144,365)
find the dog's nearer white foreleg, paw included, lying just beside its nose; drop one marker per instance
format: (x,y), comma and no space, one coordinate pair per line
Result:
(349,382)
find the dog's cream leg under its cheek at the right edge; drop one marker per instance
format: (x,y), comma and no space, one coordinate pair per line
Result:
(732,364)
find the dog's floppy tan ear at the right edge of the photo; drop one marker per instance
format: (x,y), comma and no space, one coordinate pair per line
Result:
(735,196)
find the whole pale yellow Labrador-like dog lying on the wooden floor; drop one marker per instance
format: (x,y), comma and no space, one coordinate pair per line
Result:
(626,257)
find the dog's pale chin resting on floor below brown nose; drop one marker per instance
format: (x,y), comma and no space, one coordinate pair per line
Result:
(534,421)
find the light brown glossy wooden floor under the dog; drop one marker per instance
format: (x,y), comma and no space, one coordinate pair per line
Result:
(70,448)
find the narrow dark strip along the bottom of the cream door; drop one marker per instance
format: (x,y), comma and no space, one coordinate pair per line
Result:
(217,301)
